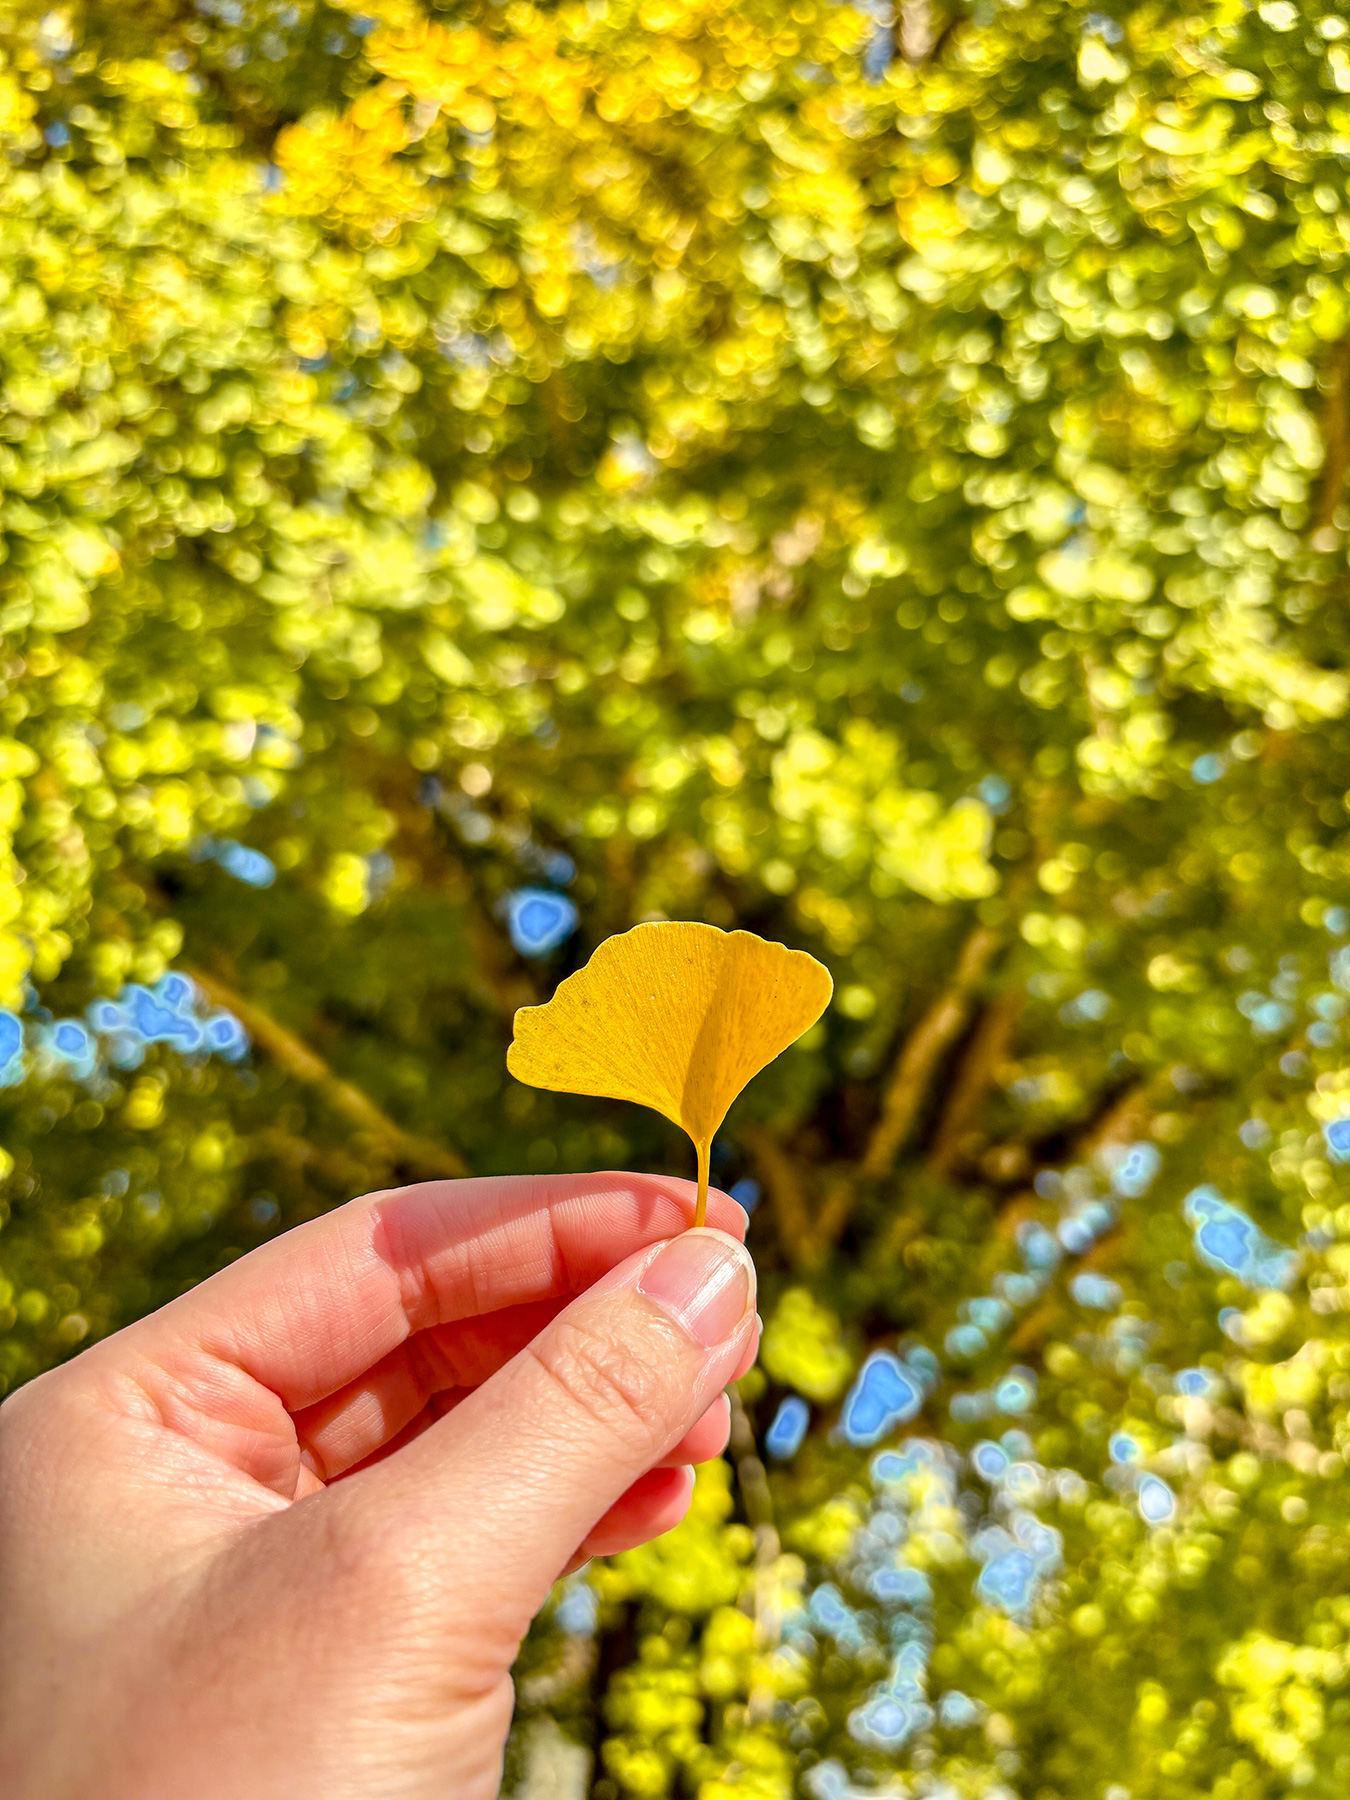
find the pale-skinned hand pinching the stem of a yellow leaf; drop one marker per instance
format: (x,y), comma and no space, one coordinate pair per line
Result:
(285,1536)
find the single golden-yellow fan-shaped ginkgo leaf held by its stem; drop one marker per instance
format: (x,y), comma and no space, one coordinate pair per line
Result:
(676,1018)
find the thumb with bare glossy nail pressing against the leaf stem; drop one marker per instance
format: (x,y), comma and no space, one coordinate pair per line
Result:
(503,1491)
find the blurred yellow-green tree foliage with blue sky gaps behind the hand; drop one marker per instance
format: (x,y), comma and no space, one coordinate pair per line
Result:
(480,478)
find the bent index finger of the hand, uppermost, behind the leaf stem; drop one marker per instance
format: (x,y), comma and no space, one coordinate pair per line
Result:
(323,1304)
